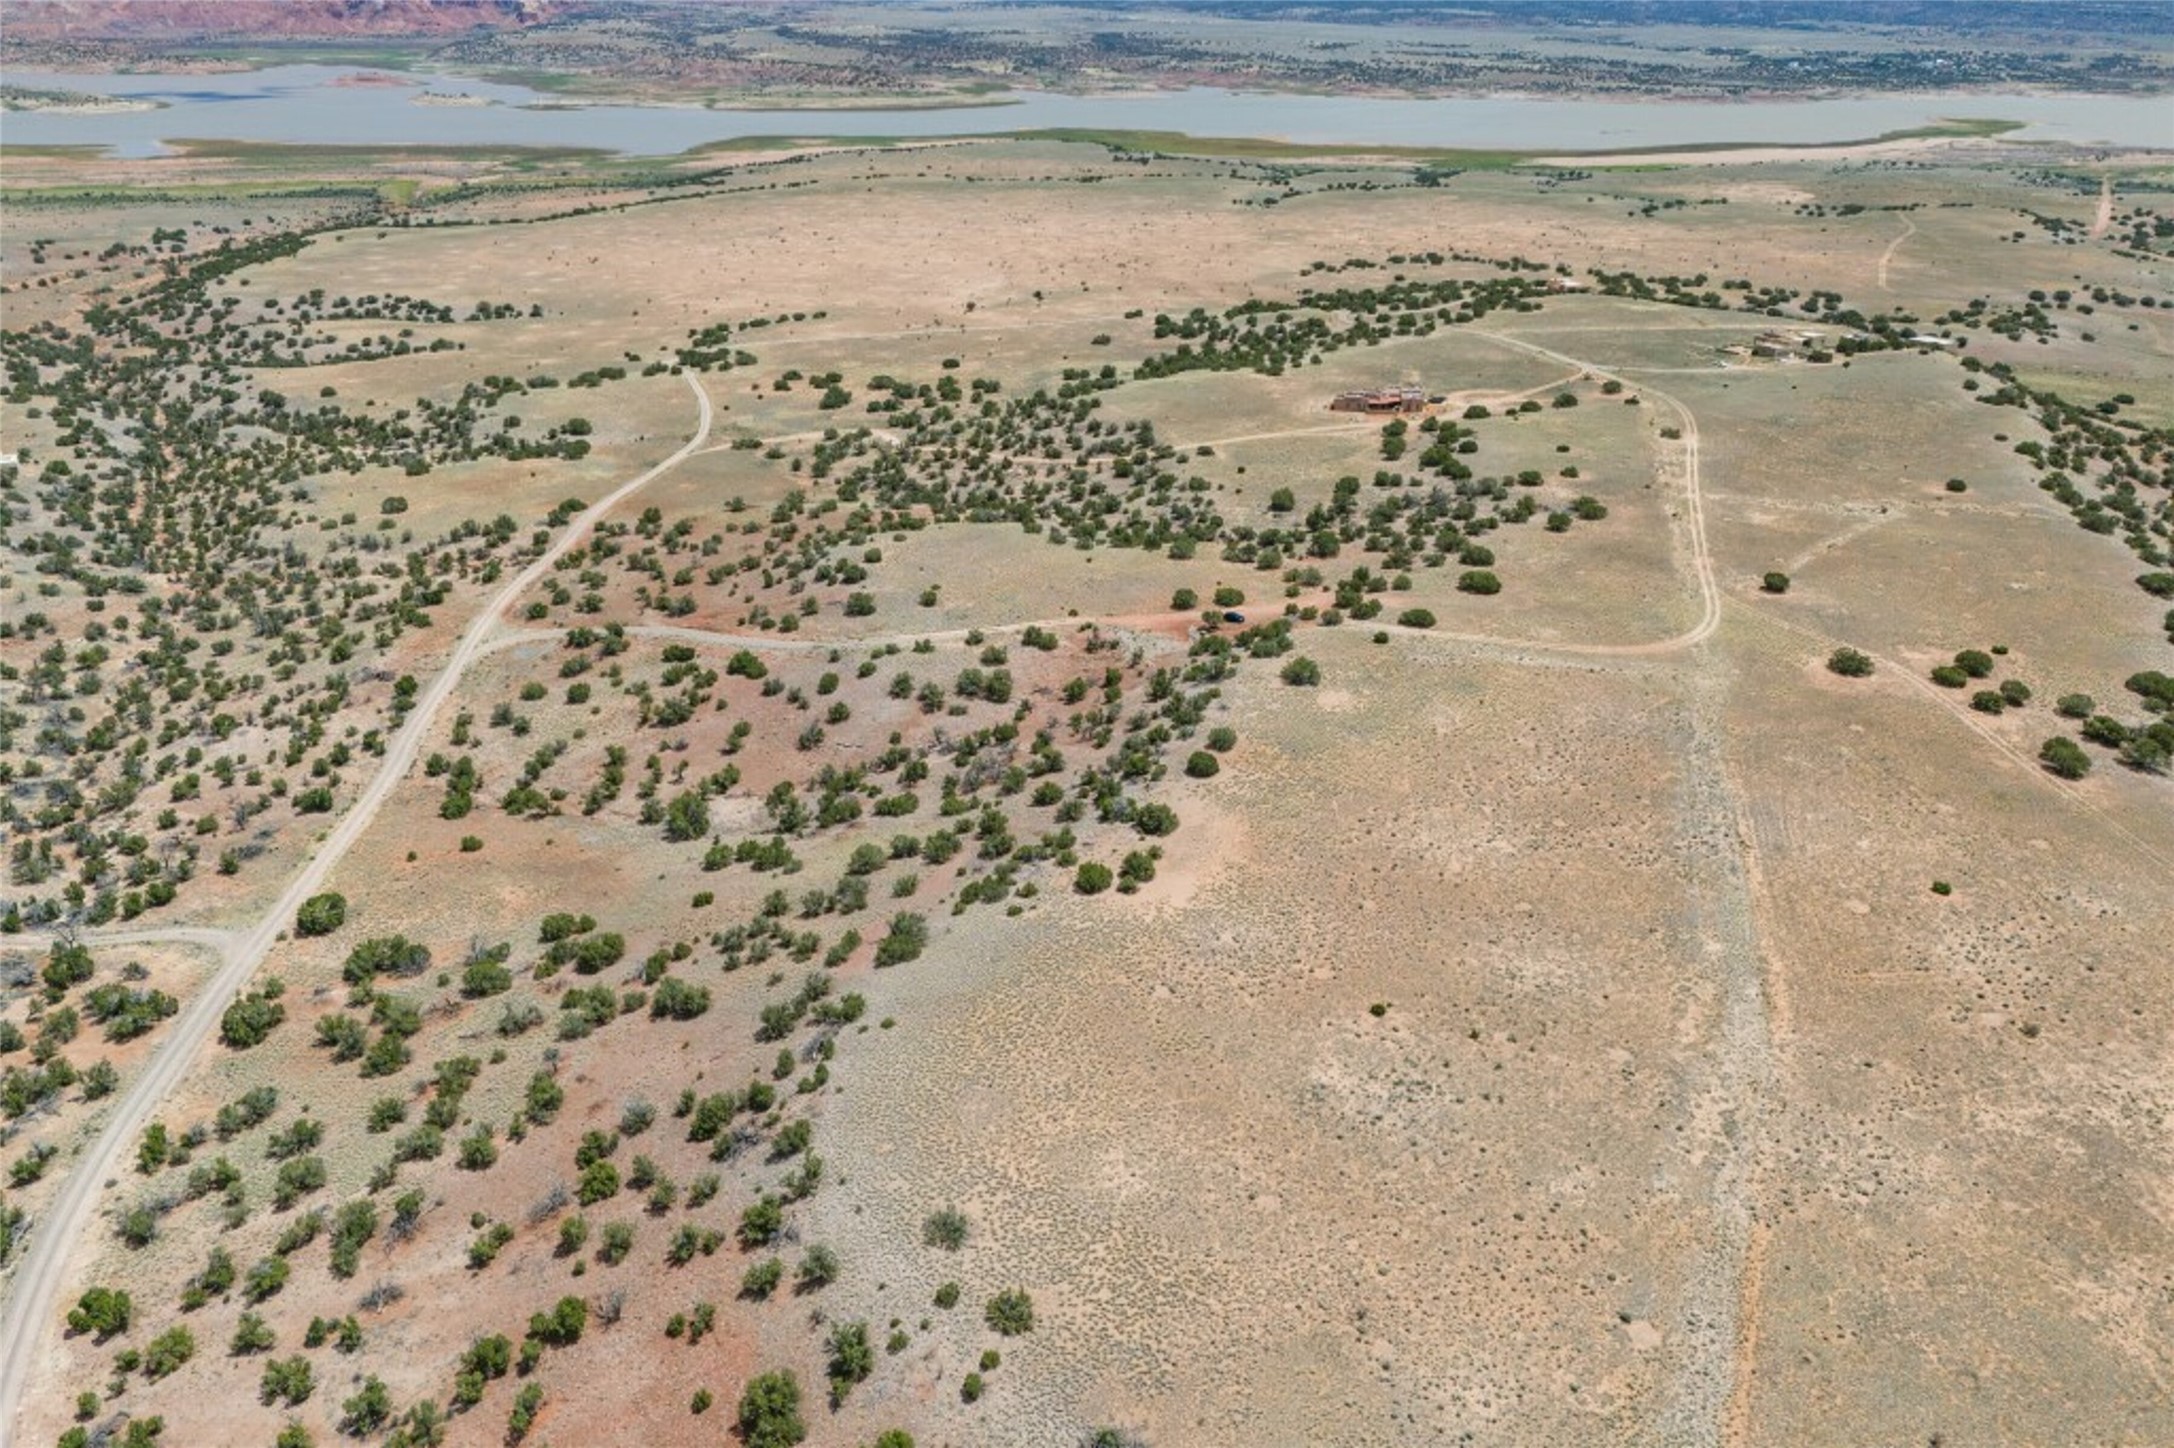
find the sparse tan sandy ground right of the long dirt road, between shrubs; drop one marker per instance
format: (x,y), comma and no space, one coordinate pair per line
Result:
(1688,1116)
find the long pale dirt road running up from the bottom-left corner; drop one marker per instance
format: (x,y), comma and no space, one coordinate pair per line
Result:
(45,1266)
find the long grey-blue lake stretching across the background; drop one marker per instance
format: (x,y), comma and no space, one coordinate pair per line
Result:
(329,105)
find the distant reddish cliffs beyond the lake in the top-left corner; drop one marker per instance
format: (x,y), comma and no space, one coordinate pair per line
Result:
(158,21)
